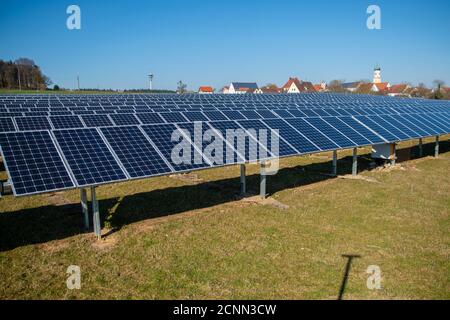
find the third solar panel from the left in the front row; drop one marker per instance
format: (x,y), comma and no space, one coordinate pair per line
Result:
(135,152)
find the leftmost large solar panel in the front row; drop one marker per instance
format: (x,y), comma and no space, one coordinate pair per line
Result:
(33,163)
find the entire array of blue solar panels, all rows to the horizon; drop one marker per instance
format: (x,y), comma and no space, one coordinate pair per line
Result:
(56,142)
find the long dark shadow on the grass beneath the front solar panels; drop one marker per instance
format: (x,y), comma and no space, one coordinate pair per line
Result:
(43,224)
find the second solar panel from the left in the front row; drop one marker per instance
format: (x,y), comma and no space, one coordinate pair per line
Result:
(88,157)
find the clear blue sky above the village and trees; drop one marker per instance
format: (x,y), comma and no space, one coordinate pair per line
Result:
(216,42)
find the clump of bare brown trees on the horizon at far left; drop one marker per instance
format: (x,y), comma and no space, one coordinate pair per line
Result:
(22,74)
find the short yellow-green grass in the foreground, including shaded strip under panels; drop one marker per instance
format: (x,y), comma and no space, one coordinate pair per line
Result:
(191,237)
